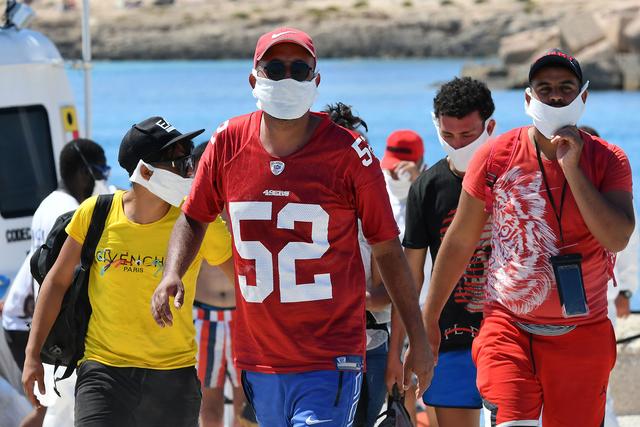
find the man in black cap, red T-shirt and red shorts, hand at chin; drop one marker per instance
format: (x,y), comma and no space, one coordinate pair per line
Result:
(561,206)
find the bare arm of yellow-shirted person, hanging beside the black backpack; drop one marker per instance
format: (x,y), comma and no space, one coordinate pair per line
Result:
(47,308)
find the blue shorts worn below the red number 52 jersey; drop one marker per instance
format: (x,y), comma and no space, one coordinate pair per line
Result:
(326,398)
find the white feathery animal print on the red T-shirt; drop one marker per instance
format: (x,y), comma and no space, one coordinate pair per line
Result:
(520,275)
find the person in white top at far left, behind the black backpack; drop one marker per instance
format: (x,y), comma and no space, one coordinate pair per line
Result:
(83,173)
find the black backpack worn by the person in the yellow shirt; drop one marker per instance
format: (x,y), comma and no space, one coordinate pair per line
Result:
(64,345)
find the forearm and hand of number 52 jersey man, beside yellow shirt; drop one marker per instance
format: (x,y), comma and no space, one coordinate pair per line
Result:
(184,244)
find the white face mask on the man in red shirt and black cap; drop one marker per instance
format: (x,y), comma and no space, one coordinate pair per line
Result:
(548,119)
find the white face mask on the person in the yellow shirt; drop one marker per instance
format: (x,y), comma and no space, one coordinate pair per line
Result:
(170,187)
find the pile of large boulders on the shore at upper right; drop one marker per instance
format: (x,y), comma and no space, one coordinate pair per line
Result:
(607,46)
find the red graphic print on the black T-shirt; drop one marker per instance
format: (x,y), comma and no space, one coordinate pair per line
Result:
(470,289)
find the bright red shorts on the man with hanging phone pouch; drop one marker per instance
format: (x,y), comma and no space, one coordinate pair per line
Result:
(520,372)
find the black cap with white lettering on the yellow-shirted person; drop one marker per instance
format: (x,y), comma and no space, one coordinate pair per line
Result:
(145,141)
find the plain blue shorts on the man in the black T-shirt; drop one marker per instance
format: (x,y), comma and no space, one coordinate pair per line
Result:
(454,382)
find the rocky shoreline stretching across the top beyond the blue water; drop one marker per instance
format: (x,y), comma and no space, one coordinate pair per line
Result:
(606,34)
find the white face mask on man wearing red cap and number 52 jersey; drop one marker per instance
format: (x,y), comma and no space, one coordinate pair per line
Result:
(284,99)
